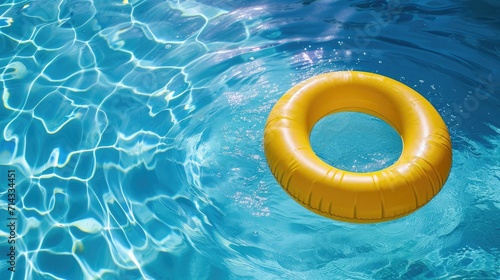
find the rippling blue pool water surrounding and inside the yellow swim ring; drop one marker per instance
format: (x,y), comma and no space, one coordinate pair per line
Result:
(135,131)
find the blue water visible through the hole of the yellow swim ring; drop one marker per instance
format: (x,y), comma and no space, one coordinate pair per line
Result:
(356,142)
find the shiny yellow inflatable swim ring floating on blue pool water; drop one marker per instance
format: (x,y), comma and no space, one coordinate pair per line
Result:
(412,181)
